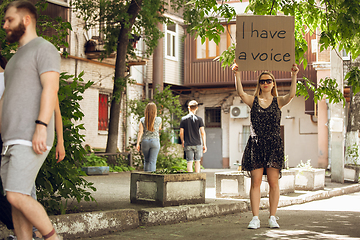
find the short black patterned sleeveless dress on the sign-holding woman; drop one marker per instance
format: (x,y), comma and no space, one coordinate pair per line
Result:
(264,148)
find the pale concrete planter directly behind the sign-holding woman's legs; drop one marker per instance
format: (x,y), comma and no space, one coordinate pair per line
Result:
(236,185)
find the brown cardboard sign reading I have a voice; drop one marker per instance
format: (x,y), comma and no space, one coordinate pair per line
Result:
(265,42)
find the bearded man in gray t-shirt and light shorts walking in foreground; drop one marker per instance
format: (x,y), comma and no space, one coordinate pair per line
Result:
(27,117)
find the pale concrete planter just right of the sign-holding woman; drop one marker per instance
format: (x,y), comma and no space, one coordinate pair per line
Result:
(309,180)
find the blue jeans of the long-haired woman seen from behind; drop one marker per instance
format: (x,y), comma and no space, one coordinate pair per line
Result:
(150,148)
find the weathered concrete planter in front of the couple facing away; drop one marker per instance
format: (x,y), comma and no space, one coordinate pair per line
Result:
(168,189)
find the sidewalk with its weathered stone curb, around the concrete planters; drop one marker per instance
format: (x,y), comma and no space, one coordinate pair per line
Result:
(114,212)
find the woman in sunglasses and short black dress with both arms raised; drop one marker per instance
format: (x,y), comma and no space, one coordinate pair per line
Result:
(264,153)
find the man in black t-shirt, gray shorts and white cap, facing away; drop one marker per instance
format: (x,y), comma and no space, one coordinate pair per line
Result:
(191,126)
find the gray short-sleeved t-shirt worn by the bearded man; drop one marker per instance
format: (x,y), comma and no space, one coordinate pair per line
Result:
(23,90)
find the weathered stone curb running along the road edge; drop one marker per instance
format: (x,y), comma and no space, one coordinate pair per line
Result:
(99,223)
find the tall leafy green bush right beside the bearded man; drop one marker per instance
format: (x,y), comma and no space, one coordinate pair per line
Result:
(63,181)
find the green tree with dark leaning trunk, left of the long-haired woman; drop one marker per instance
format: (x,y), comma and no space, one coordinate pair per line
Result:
(122,20)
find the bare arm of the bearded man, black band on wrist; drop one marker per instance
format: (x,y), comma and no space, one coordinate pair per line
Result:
(50,84)
